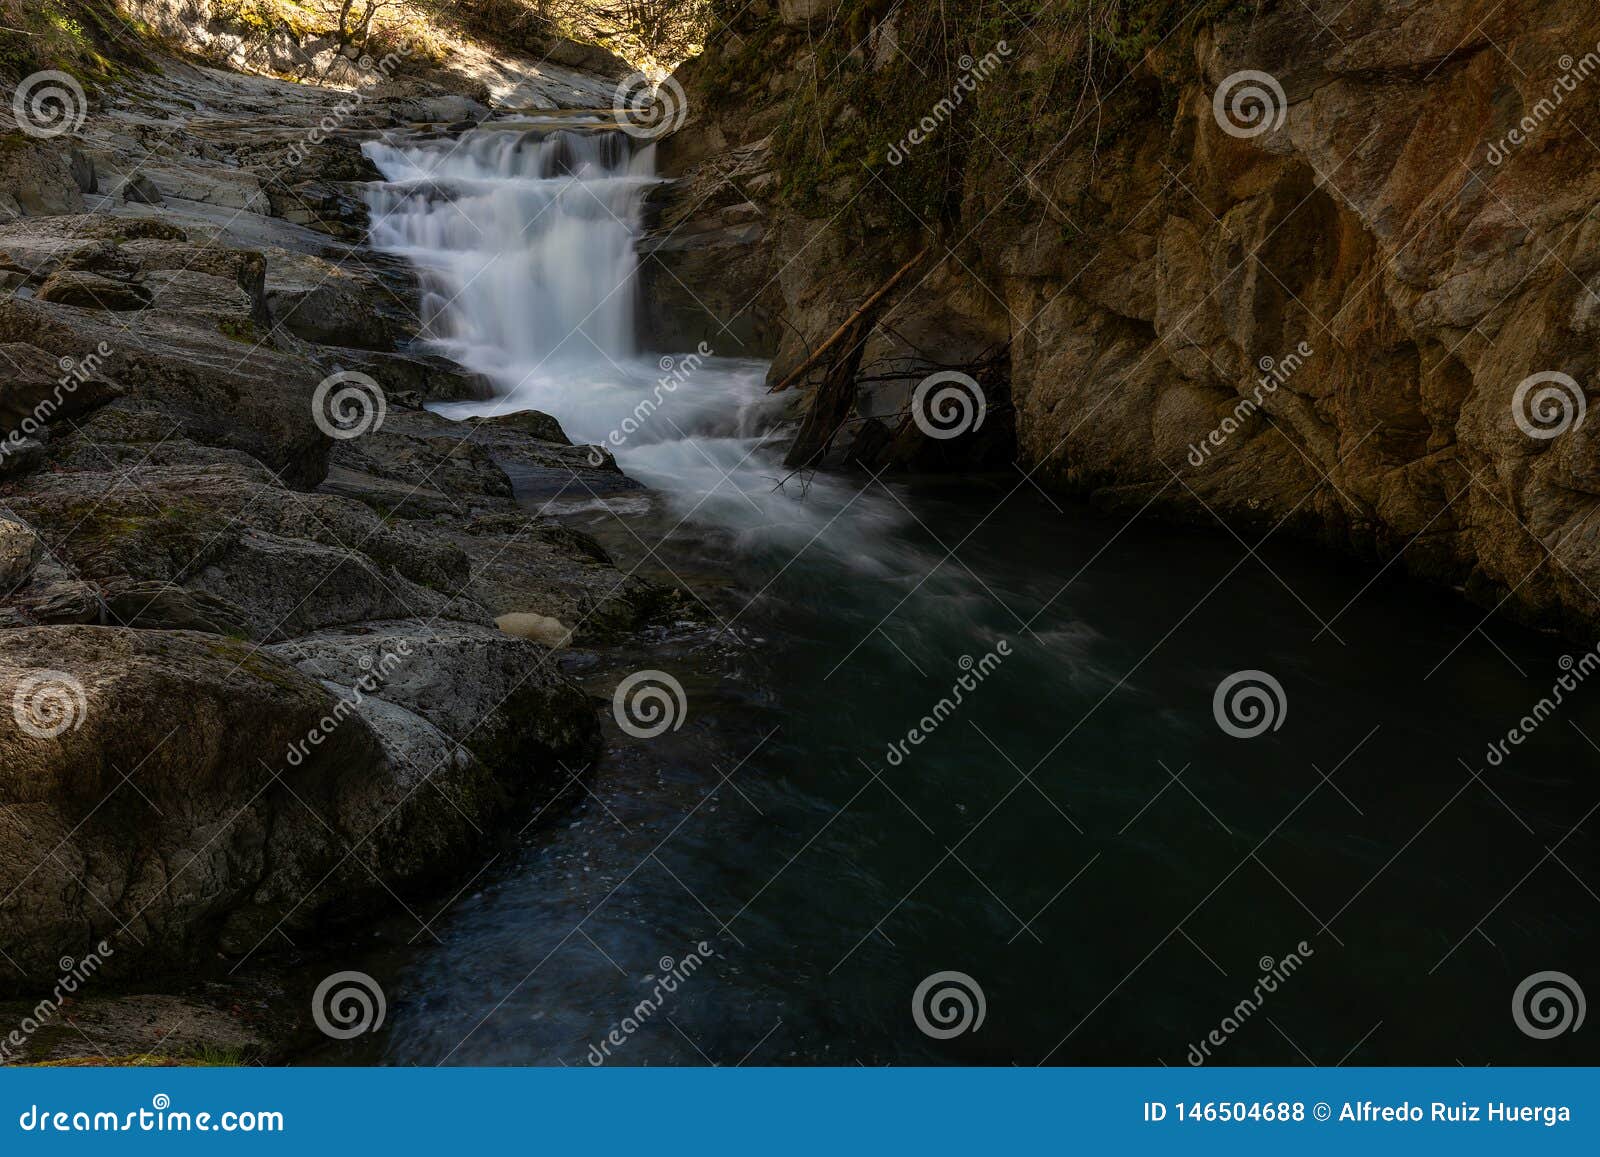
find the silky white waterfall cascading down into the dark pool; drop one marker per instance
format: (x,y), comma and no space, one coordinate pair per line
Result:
(526,244)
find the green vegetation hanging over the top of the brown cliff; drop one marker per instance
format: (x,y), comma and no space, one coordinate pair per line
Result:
(916,106)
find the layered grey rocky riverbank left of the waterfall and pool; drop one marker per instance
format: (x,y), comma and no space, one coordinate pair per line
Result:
(278,646)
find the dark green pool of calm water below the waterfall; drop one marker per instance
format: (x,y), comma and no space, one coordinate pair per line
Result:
(1039,841)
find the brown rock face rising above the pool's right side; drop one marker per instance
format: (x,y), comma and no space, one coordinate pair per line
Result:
(1338,318)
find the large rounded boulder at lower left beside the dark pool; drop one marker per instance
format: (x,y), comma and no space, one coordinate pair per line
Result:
(199,795)
